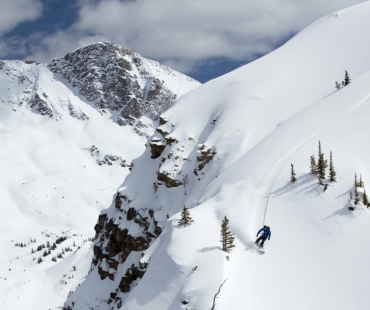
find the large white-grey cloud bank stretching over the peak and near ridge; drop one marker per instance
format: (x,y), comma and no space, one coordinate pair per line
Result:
(184,33)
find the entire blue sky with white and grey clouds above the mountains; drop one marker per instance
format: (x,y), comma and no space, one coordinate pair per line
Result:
(201,38)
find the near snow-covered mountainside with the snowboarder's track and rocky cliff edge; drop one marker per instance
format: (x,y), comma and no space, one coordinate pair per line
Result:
(227,149)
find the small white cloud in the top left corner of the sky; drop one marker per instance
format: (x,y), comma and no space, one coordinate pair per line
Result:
(14,12)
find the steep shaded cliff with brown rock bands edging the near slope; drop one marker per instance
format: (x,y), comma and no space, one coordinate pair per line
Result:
(126,232)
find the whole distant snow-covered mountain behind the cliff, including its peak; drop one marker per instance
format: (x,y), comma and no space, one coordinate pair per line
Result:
(61,162)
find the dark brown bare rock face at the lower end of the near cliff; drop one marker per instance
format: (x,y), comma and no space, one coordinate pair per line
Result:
(115,243)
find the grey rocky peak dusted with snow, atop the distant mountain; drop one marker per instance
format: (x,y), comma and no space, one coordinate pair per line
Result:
(116,79)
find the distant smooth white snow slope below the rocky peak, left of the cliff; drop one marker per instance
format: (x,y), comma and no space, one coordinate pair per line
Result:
(52,187)
